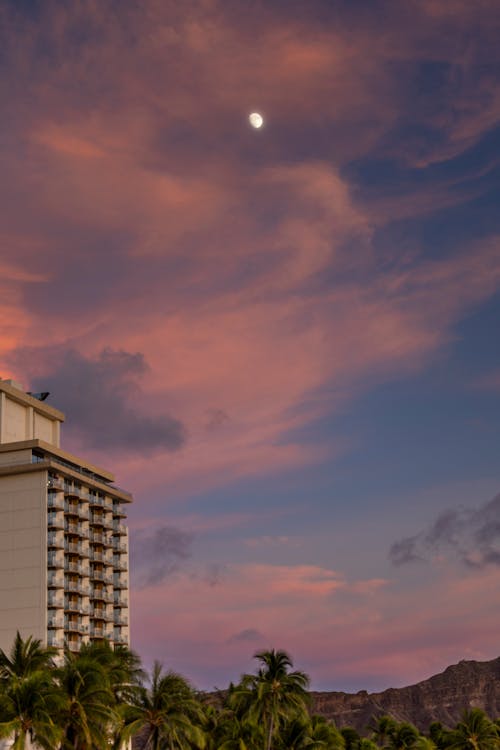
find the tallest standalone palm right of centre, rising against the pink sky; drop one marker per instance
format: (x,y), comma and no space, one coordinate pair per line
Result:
(273,694)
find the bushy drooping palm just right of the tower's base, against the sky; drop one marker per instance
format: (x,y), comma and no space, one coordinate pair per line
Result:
(167,715)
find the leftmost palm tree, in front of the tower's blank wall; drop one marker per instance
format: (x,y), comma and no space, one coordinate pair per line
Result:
(28,696)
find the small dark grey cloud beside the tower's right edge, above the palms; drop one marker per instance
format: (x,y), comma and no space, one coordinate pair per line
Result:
(157,554)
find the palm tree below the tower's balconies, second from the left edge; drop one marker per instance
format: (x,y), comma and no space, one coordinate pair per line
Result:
(86,712)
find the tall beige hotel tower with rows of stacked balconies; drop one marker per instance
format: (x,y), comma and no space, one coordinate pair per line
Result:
(63,538)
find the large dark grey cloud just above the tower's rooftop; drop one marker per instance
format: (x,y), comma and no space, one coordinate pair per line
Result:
(102,399)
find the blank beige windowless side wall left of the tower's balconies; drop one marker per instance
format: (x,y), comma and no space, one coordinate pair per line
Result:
(23,557)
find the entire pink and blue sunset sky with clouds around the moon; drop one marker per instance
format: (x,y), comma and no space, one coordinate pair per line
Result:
(284,342)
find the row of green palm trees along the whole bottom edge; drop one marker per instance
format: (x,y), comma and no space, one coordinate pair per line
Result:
(101,699)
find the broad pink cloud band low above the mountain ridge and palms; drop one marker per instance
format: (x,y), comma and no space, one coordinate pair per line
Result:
(366,632)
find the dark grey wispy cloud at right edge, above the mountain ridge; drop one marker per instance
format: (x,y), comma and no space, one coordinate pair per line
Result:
(469,535)
